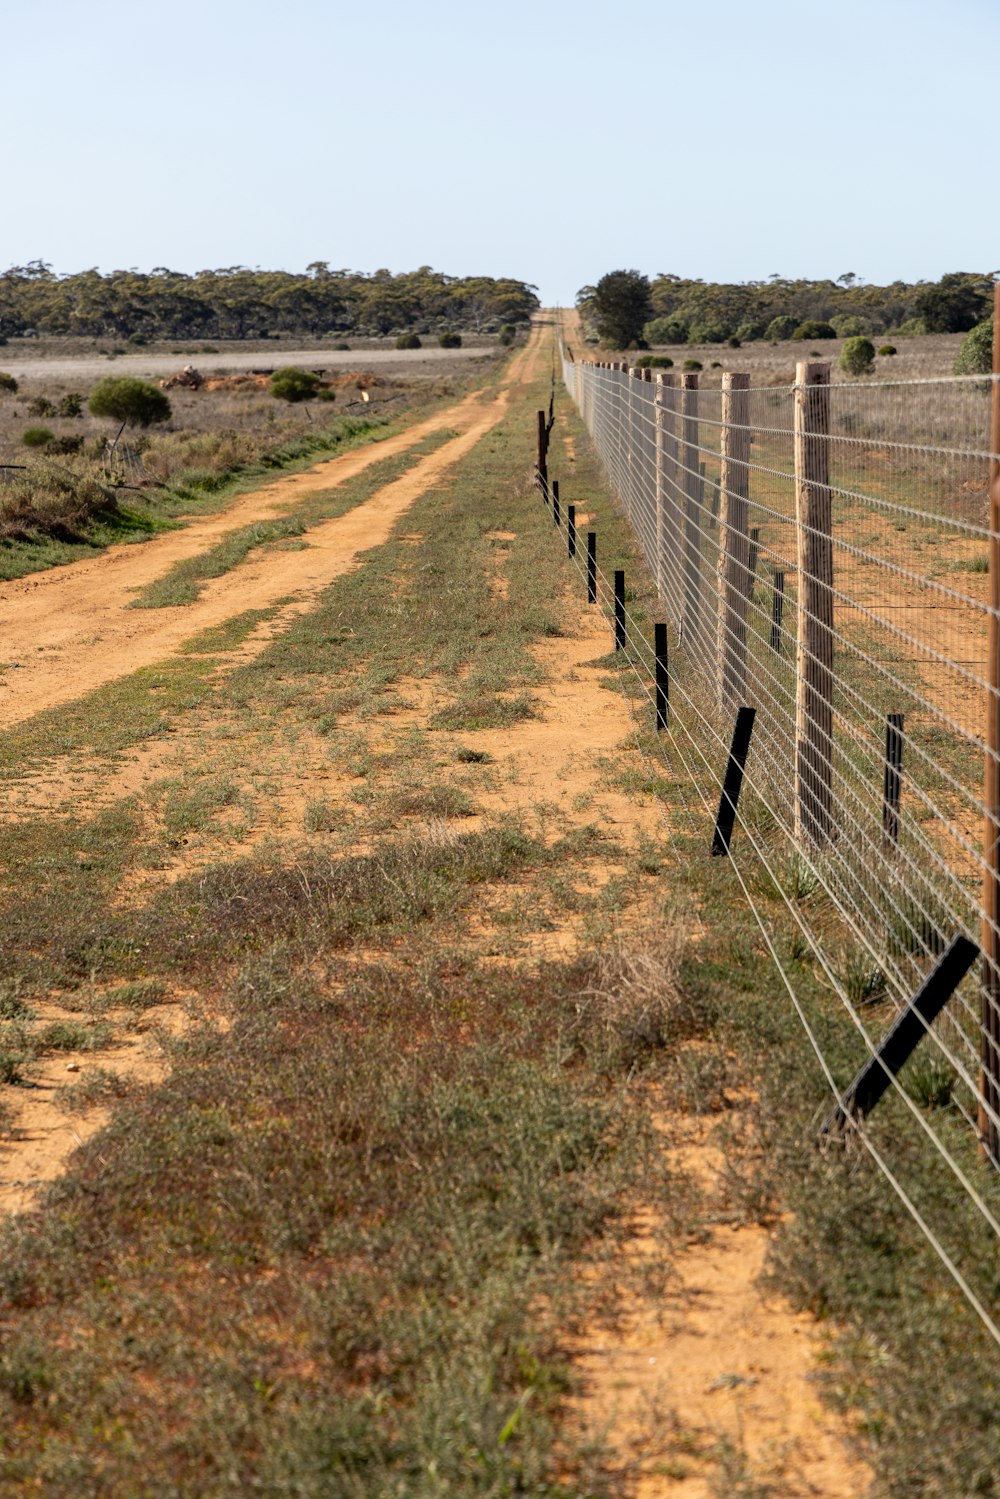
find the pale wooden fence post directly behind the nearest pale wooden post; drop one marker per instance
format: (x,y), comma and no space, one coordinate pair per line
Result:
(734,542)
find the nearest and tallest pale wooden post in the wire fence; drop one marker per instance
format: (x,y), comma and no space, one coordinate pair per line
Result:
(815,647)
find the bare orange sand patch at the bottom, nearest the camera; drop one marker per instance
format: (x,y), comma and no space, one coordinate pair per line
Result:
(711,1387)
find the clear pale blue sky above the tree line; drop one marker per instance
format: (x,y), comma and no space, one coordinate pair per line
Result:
(549,142)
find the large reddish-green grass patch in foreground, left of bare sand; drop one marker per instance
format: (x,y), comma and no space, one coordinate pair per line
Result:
(349,1227)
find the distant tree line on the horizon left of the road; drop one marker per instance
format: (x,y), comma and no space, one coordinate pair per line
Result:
(241,304)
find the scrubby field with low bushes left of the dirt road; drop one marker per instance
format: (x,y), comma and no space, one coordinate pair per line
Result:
(74,491)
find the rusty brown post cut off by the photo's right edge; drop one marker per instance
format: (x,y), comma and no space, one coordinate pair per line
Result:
(990,935)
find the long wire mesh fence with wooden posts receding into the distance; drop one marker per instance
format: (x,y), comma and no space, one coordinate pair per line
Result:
(822,554)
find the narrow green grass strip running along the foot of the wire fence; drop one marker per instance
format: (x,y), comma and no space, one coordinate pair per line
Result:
(908,1351)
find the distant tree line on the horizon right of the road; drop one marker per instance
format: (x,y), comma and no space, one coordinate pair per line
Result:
(627,308)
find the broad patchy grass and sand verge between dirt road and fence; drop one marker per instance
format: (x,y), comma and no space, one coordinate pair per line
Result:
(352,1245)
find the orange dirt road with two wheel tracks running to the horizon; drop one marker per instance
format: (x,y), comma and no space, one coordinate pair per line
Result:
(71,630)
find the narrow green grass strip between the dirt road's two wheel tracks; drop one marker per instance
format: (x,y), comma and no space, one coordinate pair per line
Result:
(185,581)
